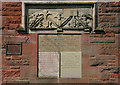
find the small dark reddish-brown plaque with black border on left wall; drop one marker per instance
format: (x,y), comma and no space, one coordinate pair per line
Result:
(14,49)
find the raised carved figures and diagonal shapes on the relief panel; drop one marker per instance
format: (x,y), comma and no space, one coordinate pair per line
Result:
(51,19)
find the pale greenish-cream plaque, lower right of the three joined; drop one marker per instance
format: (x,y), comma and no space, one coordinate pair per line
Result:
(71,65)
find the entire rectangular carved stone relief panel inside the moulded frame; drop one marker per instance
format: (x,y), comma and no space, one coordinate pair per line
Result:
(64,18)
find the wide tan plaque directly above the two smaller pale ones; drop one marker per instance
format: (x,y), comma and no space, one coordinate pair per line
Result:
(59,43)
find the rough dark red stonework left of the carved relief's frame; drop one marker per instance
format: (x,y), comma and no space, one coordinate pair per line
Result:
(11,13)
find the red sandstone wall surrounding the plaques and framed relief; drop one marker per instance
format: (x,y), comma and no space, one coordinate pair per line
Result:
(99,52)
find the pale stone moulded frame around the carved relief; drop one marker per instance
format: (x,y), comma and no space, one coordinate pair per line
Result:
(25,21)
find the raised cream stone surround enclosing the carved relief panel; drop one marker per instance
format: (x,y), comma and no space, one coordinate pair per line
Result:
(25,22)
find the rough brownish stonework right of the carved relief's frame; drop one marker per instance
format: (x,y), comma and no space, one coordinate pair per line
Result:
(108,16)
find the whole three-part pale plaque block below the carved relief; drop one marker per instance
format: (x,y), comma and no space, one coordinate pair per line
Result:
(64,48)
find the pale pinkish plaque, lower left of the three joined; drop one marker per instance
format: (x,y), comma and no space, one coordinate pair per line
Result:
(48,65)
